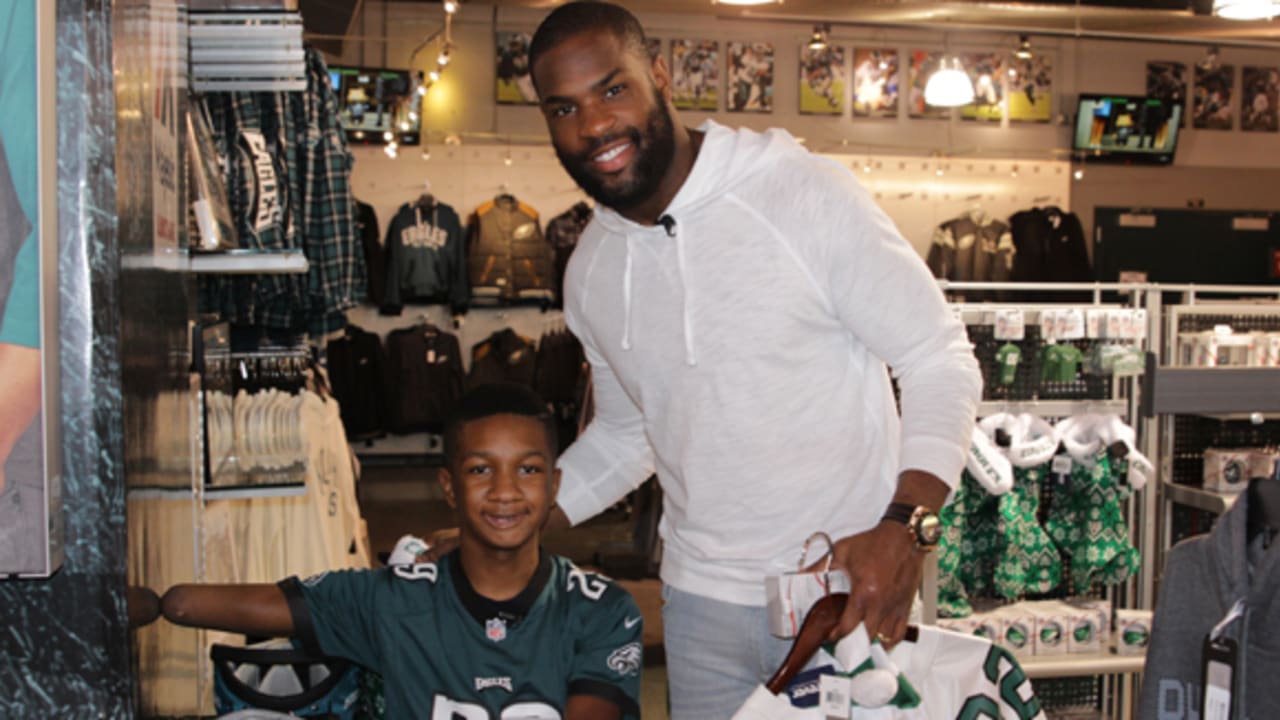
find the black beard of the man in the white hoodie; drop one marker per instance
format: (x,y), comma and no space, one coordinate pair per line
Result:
(655,151)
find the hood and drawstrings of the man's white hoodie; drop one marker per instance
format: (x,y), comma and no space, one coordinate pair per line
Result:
(725,157)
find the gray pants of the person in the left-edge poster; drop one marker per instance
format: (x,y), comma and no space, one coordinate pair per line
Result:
(24,507)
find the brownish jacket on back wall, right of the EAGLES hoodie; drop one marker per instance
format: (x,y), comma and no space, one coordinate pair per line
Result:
(508,256)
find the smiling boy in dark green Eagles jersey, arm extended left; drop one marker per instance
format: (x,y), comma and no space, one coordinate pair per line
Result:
(497,628)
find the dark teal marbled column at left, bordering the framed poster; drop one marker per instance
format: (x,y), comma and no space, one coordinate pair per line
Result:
(65,651)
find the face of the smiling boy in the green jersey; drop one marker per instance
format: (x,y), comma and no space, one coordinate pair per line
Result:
(502,482)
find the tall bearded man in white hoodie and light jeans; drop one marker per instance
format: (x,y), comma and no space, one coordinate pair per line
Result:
(739,300)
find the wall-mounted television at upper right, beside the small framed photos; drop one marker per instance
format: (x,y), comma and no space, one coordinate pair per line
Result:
(1127,129)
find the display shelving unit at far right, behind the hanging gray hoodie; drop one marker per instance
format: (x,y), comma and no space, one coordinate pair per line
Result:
(1197,408)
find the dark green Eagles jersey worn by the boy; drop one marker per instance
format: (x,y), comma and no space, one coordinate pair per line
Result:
(449,654)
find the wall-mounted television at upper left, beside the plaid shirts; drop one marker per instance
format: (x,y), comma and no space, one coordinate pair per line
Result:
(377,106)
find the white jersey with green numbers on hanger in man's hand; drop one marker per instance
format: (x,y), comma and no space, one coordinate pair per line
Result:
(957,677)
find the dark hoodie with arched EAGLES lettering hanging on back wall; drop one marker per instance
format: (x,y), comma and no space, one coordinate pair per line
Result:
(426,258)
